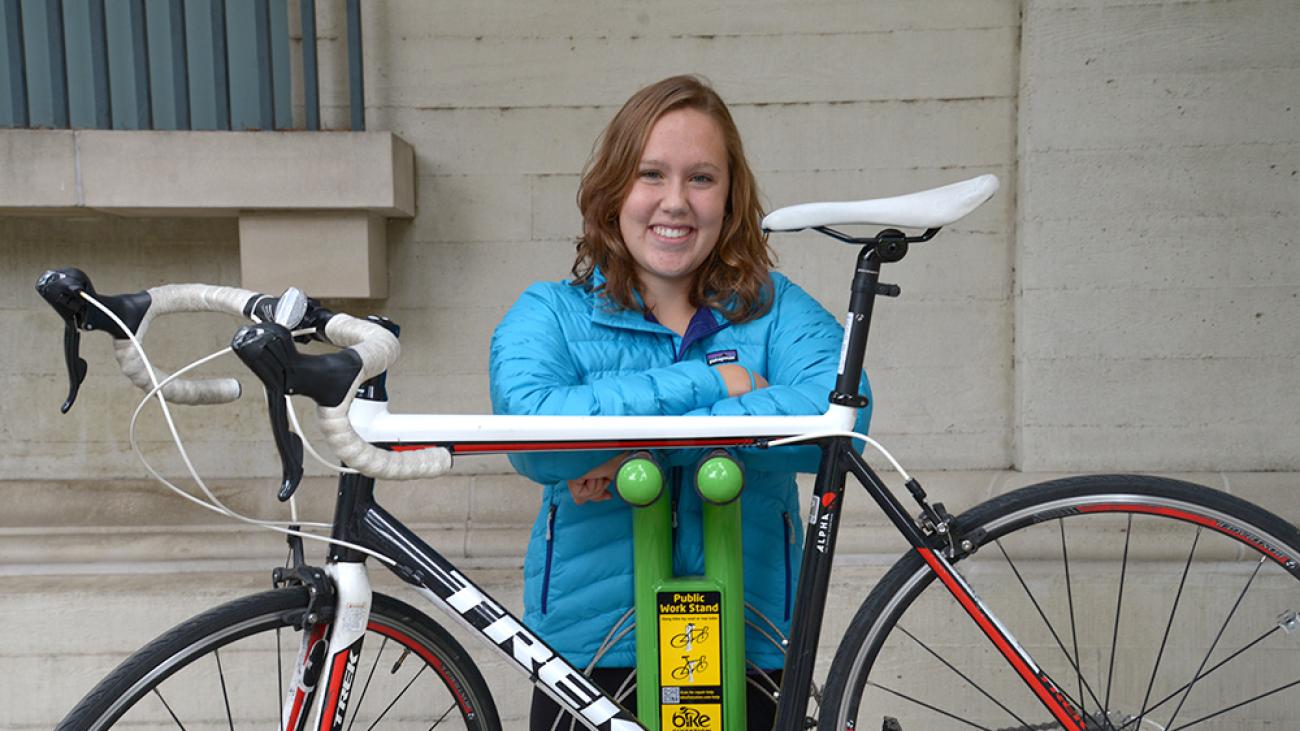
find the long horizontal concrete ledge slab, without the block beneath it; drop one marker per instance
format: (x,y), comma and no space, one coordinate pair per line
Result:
(206,174)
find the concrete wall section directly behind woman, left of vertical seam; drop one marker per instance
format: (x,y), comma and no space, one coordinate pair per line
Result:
(504,106)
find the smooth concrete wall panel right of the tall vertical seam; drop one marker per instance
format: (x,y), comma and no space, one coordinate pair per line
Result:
(1158,318)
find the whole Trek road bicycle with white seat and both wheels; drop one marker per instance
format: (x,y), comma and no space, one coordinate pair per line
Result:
(1236,569)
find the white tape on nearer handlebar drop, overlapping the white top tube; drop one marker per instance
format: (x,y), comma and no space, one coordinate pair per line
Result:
(379,349)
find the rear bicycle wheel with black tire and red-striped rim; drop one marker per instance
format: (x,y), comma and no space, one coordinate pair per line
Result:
(1221,586)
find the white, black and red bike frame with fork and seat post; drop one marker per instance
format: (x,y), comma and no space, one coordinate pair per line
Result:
(326,677)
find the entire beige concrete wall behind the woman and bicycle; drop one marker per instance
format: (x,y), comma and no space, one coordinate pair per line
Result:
(1130,301)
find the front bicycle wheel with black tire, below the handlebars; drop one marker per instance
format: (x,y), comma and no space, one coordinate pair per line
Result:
(131,697)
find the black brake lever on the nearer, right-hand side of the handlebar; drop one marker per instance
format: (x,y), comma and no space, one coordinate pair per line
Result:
(267,349)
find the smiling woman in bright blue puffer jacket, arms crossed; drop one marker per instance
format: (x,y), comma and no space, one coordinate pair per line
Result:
(673,310)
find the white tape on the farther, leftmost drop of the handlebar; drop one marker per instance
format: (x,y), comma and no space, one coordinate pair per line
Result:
(184,299)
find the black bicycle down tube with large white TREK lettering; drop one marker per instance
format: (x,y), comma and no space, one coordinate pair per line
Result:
(439,581)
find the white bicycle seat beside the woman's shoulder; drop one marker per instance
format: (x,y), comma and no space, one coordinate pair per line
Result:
(926,210)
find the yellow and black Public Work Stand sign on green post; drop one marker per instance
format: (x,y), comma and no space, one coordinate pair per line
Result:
(691,661)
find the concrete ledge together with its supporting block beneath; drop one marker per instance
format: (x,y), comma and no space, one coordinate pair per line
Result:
(311,206)
